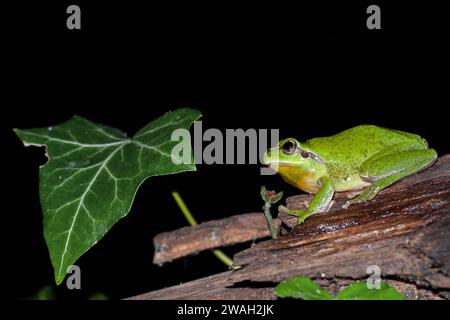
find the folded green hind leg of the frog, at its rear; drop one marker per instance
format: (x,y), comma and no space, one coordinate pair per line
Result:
(390,168)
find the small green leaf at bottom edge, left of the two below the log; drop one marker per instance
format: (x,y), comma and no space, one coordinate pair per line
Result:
(301,288)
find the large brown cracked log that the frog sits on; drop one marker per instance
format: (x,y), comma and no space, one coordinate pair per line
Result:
(404,231)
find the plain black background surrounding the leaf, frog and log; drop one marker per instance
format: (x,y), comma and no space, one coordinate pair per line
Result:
(309,71)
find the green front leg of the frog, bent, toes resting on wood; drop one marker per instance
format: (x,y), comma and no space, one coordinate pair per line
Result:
(321,201)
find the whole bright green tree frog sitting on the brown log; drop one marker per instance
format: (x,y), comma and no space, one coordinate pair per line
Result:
(365,159)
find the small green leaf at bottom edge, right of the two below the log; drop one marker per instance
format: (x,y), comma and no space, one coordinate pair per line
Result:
(359,291)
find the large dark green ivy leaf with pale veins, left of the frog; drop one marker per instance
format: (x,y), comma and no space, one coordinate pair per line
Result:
(93,174)
